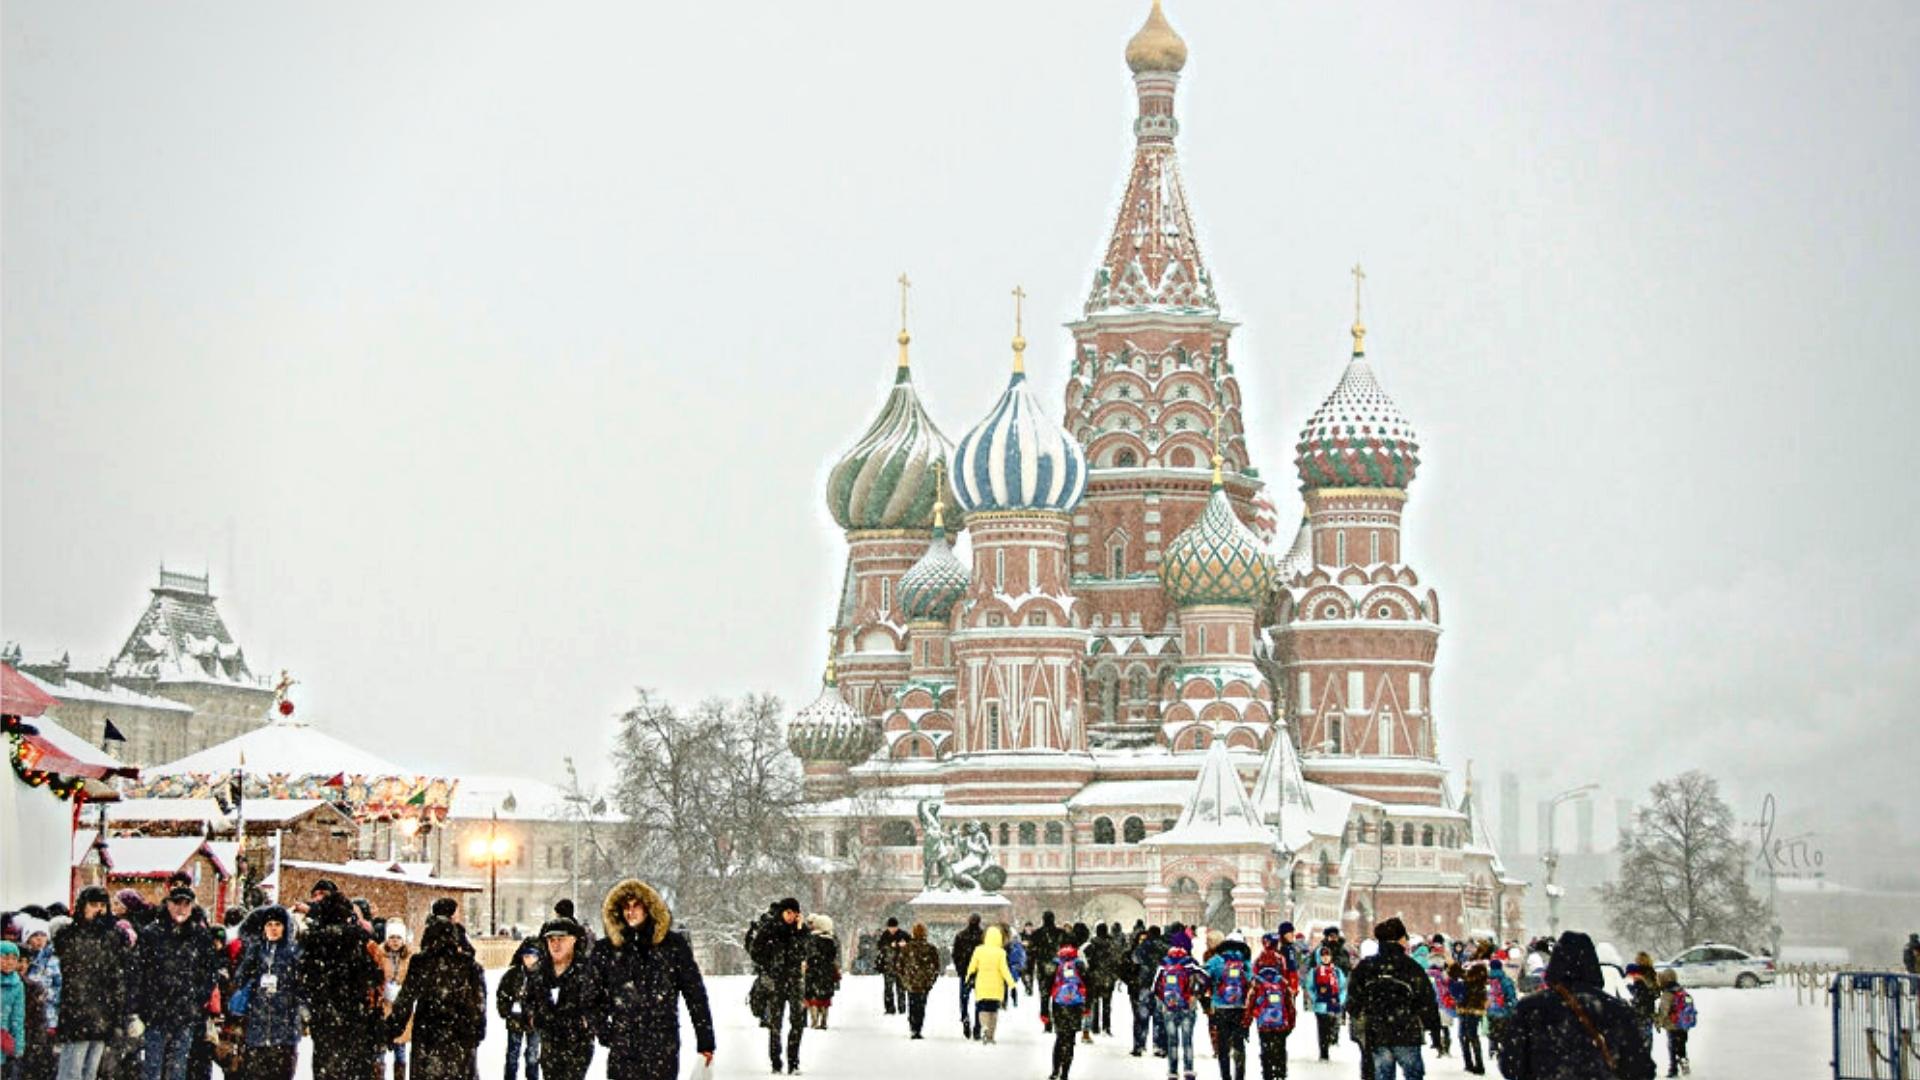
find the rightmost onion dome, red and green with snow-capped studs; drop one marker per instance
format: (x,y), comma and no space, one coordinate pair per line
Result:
(1358,439)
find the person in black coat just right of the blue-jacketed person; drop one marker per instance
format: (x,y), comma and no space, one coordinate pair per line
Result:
(343,985)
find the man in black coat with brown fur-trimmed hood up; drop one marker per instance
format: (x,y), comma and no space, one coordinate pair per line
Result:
(642,970)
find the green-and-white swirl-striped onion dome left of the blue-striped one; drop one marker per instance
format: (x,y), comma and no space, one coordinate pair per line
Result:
(888,479)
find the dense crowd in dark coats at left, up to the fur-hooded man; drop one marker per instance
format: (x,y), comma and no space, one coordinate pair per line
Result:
(116,989)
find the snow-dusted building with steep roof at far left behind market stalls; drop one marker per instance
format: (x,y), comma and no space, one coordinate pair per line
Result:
(180,685)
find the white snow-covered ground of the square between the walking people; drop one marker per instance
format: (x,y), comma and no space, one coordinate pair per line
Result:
(1746,1035)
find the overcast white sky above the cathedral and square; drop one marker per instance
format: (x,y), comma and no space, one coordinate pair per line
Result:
(492,356)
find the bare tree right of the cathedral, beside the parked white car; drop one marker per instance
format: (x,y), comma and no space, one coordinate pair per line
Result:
(1685,873)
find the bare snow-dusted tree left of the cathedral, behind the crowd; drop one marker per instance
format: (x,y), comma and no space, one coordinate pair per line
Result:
(709,797)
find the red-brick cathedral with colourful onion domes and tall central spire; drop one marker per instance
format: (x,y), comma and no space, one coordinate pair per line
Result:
(1153,710)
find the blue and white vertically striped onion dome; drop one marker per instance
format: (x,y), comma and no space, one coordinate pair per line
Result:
(1019,458)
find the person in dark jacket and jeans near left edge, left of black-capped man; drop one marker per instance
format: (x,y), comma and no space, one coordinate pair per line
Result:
(93,998)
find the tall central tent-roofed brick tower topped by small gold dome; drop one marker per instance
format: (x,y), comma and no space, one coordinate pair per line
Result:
(1149,374)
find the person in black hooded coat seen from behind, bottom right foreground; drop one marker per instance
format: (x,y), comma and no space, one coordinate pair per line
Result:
(1573,1029)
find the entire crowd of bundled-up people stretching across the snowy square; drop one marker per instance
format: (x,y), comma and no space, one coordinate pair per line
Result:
(118,989)
